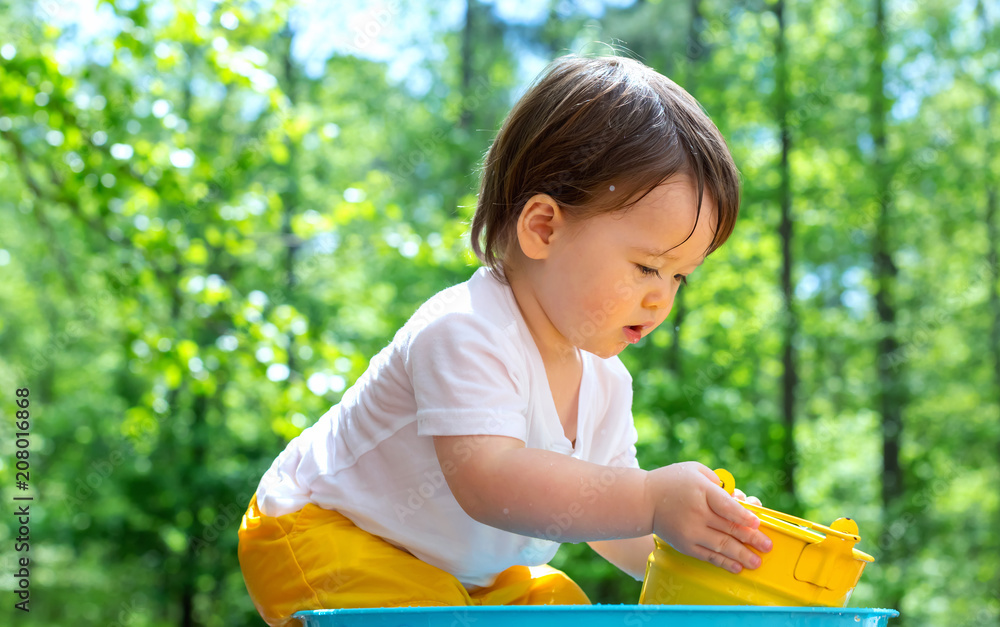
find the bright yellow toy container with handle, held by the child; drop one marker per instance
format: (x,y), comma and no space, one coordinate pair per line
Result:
(809,565)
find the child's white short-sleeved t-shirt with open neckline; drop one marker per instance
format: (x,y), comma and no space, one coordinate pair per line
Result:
(464,364)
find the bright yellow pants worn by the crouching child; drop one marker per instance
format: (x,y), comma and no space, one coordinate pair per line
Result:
(318,559)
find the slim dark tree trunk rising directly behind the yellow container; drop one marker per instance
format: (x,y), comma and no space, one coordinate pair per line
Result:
(789,378)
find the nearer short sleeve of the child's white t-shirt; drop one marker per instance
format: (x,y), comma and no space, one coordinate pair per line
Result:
(466,379)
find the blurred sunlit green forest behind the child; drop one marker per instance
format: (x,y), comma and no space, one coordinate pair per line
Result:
(213,214)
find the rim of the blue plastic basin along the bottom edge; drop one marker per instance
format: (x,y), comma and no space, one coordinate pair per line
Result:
(598,615)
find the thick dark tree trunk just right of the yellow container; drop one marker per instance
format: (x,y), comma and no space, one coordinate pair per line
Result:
(892,395)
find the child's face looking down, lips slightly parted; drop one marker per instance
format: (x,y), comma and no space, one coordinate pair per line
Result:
(604,284)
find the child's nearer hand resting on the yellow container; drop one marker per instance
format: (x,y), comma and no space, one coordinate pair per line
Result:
(698,518)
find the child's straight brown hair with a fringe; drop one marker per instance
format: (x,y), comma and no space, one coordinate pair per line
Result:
(590,121)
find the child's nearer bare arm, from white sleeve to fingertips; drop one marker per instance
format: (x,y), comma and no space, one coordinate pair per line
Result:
(538,493)
